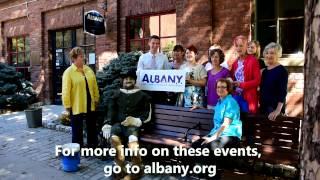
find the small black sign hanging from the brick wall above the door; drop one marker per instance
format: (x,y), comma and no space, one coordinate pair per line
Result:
(93,23)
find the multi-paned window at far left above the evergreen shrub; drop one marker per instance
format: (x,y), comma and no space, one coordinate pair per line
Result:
(19,54)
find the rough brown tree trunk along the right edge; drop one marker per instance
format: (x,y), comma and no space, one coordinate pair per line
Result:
(310,149)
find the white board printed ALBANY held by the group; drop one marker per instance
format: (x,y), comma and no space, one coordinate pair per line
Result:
(162,80)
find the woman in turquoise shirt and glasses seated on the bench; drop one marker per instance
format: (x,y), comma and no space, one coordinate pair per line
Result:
(227,129)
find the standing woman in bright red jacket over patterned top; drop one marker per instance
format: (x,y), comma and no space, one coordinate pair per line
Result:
(245,72)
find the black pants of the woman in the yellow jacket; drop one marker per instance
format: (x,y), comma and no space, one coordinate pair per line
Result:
(77,128)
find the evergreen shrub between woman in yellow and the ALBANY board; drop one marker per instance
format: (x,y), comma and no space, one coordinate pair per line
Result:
(109,78)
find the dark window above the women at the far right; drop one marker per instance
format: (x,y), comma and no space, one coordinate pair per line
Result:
(281,21)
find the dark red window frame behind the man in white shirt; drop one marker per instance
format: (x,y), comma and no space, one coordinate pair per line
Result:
(145,39)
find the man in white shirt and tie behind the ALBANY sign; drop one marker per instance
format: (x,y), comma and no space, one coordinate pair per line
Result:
(153,60)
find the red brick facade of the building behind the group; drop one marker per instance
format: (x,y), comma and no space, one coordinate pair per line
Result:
(198,22)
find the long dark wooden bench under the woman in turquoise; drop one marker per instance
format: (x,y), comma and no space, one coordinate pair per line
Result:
(277,141)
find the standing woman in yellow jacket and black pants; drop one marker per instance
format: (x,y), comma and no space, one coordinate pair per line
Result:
(80,96)
